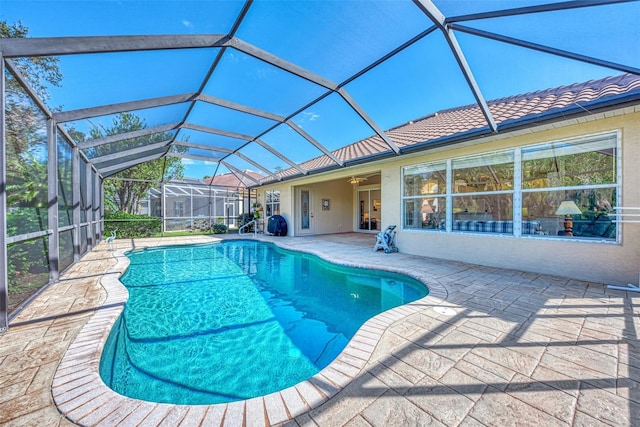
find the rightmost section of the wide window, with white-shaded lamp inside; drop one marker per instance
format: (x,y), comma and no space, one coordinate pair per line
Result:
(570,187)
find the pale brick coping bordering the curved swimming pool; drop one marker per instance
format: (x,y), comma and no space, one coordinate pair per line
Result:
(83,398)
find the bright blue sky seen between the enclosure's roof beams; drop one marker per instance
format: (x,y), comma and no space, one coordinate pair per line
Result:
(331,38)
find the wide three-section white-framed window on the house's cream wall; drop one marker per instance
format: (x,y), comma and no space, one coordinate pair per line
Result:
(562,189)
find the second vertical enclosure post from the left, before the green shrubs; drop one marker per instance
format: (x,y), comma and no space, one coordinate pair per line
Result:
(52,171)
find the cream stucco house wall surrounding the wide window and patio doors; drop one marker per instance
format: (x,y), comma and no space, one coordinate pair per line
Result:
(612,263)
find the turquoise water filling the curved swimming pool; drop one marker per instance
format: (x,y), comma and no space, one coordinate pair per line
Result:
(229,321)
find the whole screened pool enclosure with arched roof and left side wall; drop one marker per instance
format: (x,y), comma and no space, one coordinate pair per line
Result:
(261,91)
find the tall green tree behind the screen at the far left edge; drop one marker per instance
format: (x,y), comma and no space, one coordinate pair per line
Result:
(26,168)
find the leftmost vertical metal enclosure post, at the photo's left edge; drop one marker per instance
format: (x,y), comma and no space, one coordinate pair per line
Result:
(4,284)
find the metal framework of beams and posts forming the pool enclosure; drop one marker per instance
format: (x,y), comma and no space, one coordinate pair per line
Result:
(112,163)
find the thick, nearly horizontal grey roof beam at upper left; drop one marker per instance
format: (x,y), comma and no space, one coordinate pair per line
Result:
(57,46)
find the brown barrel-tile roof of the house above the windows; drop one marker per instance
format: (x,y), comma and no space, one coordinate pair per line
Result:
(509,113)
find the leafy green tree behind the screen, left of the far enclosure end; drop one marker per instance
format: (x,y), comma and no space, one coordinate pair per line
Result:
(123,194)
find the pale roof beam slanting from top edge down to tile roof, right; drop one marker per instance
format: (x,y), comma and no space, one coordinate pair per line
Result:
(429,9)
